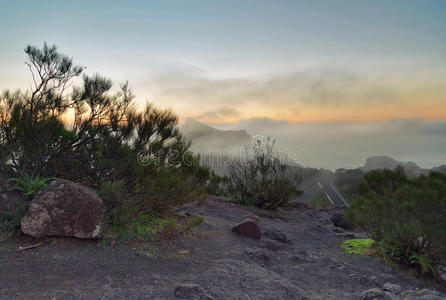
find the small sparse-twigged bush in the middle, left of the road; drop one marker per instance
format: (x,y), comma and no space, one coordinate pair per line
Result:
(261,179)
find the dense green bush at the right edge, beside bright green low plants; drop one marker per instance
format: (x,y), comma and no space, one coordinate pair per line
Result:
(406,216)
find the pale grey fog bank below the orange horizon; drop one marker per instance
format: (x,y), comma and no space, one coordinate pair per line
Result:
(348,145)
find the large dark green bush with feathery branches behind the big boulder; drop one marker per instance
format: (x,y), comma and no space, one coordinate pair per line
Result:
(135,158)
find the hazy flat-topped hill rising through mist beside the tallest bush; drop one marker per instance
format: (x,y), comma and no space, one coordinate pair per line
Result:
(205,137)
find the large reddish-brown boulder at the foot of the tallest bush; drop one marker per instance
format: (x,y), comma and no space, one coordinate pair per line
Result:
(65,209)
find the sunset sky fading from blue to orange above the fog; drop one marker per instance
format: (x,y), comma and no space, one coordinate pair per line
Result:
(230,61)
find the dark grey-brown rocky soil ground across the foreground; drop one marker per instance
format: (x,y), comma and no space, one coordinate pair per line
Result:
(298,257)
